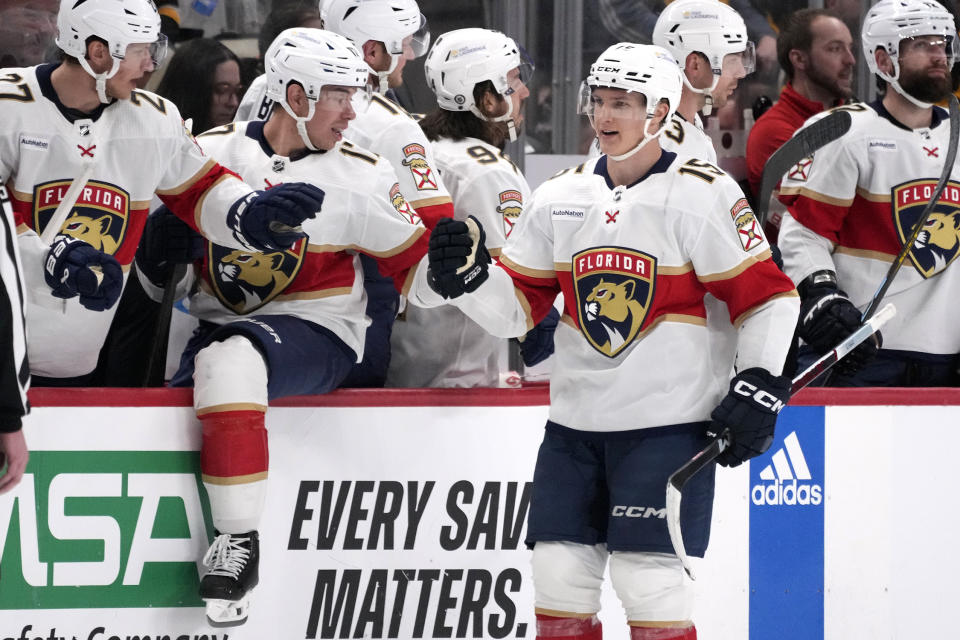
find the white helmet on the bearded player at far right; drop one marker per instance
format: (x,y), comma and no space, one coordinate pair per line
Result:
(890,21)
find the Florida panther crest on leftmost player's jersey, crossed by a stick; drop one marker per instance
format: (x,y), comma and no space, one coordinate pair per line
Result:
(99,216)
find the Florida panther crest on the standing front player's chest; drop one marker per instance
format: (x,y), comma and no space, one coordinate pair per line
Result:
(614,288)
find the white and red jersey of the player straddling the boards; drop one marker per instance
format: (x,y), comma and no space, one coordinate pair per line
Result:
(319,280)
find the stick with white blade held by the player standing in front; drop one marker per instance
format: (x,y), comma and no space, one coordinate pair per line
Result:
(679,478)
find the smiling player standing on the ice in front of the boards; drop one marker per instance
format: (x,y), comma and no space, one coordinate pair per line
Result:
(634,239)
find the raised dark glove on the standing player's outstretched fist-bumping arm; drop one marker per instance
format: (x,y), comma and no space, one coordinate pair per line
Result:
(459,260)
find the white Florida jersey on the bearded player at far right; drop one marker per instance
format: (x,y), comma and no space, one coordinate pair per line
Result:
(851,205)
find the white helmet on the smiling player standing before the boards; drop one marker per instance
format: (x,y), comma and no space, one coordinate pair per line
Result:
(638,68)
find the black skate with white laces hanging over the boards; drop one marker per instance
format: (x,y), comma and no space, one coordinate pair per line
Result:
(233,560)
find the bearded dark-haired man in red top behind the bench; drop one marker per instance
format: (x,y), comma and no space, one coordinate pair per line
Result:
(815,50)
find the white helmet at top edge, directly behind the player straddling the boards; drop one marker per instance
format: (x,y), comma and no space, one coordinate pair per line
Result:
(395,23)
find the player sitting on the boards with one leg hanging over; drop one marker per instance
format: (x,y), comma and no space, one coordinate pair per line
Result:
(287,322)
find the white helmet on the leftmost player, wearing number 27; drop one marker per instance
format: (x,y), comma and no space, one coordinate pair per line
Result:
(119,23)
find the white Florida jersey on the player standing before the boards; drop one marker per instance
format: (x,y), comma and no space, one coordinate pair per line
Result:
(634,265)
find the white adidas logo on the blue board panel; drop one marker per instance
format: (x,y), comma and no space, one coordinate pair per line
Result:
(787,480)
